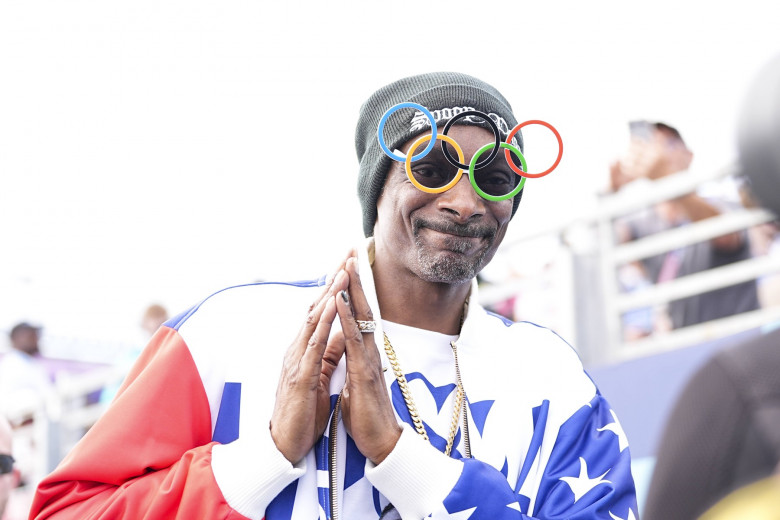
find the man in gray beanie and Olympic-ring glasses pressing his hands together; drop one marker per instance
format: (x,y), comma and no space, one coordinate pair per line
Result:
(443,410)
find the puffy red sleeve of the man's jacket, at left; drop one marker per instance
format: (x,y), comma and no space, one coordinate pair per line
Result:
(149,456)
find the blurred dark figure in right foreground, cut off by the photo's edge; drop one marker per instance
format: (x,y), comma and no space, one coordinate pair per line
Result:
(724,431)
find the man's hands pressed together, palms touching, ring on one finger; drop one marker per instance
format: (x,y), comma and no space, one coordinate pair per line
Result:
(302,406)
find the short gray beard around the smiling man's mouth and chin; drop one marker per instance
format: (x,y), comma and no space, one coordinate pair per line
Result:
(447,266)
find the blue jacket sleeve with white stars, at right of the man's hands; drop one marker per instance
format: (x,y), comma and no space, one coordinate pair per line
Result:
(587,476)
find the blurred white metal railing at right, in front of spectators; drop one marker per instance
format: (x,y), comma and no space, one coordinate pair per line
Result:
(598,314)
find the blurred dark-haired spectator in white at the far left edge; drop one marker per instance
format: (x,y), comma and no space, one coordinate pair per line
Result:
(23,378)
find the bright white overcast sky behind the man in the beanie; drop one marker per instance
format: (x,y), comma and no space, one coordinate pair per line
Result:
(158,151)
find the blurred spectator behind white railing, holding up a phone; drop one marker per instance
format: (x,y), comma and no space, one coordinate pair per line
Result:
(657,150)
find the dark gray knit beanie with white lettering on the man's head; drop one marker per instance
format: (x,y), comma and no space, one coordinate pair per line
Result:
(444,94)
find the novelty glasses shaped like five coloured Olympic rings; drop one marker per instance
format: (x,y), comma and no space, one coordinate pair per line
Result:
(494,184)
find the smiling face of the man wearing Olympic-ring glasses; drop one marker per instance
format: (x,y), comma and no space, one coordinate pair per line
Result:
(446,237)
